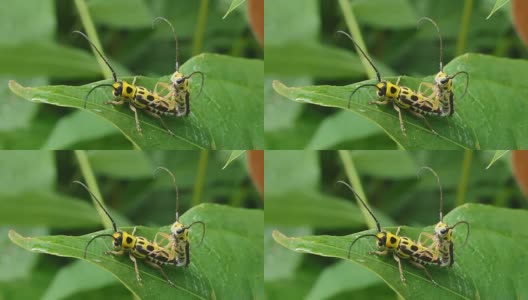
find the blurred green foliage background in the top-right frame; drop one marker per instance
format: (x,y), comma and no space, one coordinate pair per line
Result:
(302,49)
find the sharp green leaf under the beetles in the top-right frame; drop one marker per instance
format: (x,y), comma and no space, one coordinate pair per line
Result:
(475,122)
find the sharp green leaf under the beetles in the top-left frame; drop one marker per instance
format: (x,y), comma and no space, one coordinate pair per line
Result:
(225,116)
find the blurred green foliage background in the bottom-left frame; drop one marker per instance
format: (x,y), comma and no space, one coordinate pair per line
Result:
(37,197)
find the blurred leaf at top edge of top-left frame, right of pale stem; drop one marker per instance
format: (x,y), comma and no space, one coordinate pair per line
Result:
(111,13)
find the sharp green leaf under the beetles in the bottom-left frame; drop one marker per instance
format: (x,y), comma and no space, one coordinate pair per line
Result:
(228,264)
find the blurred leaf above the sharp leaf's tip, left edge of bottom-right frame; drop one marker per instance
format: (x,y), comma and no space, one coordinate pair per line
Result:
(314,209)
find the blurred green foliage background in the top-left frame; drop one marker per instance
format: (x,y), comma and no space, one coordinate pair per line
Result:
(38,48)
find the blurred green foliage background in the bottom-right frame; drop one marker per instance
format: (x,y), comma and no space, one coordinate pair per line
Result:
(302,198)
